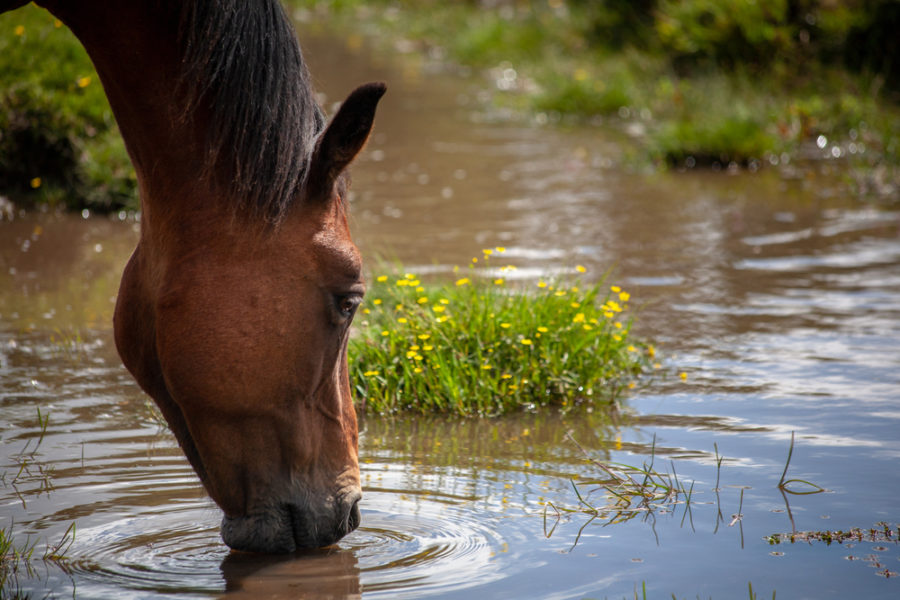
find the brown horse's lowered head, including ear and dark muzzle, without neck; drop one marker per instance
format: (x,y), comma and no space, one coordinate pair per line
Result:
(250,355)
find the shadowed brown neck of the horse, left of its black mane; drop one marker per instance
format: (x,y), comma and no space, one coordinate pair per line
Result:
(133,46)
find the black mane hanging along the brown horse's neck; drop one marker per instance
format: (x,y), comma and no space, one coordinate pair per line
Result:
(242,60)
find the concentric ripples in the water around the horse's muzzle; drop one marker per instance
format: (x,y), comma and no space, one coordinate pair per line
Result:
(416,547)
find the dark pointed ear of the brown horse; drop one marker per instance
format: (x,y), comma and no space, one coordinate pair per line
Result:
(343,139)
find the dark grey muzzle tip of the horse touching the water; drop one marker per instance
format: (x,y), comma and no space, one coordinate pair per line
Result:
(289,527)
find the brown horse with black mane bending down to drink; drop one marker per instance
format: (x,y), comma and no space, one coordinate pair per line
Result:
(234,310)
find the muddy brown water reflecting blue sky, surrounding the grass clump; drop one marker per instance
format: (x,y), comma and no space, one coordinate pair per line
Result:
(778,297)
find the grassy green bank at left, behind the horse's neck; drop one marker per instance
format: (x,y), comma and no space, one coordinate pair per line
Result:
(58,139)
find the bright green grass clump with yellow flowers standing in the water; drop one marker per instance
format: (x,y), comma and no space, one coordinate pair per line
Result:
(476,346)
